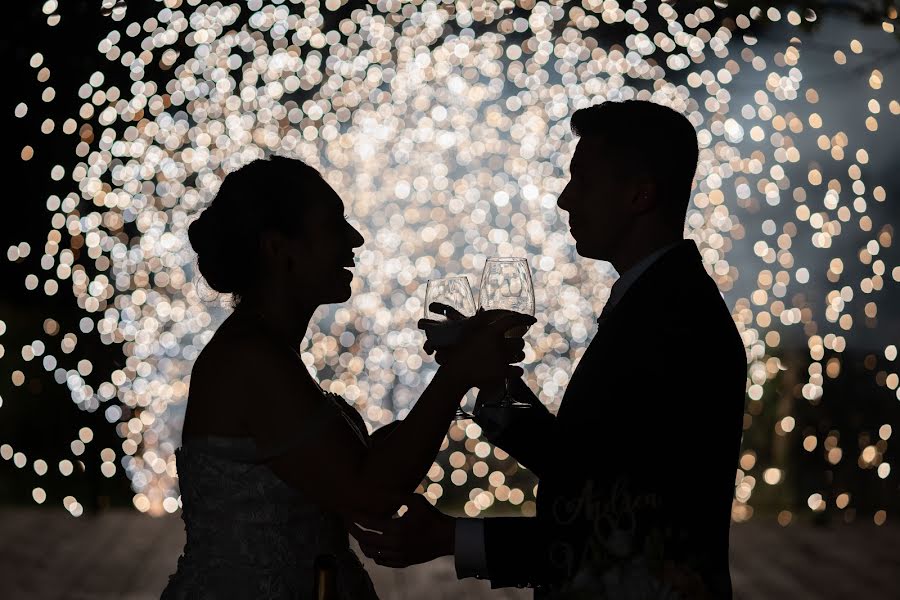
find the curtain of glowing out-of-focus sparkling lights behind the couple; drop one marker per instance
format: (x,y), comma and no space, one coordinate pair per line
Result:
(444,127)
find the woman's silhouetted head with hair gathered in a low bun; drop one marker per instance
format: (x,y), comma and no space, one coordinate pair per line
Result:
(276,232)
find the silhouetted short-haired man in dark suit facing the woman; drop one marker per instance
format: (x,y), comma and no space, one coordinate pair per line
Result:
(636,471)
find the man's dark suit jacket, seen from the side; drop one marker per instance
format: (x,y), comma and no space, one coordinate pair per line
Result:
(641,458)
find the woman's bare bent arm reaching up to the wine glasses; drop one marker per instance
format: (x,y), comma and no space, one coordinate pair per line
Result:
(325,458)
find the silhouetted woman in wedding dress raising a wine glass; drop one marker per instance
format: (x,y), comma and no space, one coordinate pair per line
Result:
(271,465)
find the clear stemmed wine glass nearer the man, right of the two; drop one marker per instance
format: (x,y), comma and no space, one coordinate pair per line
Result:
(506,285)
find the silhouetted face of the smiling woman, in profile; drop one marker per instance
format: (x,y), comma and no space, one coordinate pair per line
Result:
(315,264)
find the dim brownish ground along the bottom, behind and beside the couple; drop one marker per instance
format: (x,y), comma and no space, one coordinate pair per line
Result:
(121,554)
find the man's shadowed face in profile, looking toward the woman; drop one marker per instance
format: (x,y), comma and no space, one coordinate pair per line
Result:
(597,198)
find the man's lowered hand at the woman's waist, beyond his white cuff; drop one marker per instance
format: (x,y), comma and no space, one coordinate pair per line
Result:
(421,534)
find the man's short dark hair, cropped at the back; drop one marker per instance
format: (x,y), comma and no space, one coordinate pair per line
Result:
(652,142)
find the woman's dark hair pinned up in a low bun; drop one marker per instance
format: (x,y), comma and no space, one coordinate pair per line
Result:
(265,195)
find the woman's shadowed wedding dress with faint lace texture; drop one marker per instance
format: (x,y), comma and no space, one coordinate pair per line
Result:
(249,534)
